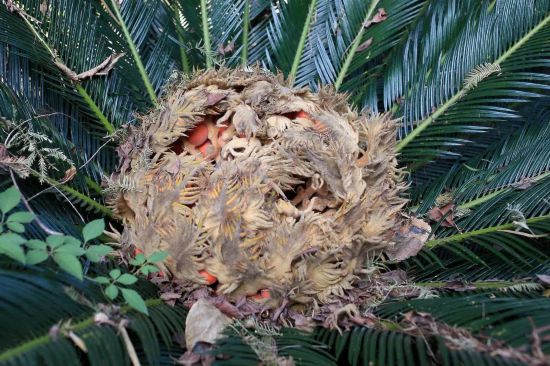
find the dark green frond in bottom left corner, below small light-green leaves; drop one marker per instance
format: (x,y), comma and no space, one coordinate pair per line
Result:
(40,309)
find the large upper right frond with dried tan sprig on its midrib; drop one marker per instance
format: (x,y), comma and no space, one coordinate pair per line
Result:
(438,92)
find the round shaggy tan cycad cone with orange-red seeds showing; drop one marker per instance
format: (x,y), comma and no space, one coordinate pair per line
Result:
(260,190)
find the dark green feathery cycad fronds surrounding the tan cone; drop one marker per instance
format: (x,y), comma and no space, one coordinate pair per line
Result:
(469,79)
